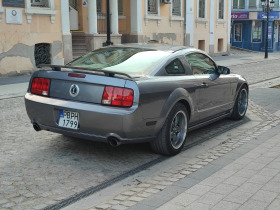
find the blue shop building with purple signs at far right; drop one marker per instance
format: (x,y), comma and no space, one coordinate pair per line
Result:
(249,26)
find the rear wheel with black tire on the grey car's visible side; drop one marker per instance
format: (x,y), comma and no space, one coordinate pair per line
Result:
(172,136)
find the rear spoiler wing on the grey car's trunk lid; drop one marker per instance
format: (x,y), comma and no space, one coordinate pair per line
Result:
(85,70)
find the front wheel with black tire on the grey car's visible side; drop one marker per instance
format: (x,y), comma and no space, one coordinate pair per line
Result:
(241,104)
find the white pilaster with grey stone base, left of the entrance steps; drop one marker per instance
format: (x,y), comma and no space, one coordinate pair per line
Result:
(66,35)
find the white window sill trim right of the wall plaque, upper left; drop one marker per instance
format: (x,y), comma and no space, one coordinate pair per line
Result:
(50,11)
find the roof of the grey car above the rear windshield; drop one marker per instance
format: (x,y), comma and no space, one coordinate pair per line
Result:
(155,46)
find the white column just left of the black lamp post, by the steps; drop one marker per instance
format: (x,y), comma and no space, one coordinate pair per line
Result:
(92,17)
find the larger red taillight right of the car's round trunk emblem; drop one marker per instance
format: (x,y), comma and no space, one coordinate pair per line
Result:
(117,96)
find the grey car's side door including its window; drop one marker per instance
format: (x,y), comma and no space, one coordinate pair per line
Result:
(215,90)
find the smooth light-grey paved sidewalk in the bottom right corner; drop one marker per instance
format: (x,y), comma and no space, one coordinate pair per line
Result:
(249,182)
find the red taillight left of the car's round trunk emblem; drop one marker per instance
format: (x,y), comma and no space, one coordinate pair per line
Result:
(40,86)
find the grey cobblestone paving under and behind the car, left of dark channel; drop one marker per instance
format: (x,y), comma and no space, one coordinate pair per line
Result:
(38,169)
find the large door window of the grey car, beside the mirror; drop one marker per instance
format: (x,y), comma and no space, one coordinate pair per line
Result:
(200,63)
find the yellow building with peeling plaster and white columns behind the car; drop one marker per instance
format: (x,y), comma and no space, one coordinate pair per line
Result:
(52,31)
